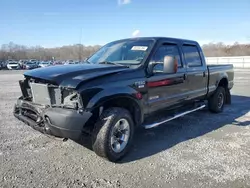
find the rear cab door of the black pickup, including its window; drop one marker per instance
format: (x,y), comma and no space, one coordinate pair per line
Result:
(197,74)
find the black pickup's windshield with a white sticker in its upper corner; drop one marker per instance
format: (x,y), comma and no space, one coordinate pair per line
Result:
(122,52)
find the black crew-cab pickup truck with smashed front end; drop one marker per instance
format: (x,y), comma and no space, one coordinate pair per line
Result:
(121,87)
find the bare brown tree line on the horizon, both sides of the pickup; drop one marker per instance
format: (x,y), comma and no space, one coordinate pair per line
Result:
(80,52)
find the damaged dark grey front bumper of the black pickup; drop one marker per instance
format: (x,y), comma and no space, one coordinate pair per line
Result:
(59,122)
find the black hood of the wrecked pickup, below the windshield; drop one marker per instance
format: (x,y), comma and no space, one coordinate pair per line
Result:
(72,75)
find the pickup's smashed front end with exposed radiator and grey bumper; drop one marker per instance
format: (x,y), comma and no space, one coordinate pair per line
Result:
(51,109)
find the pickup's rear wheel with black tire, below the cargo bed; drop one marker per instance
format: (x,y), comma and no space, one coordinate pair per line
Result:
(215,103)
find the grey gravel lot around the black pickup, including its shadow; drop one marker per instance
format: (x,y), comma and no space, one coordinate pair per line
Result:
(198,150)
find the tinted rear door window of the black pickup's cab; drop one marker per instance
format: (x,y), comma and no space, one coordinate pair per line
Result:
(192,56)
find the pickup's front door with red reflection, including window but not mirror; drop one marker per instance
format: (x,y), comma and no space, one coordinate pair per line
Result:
(166,90)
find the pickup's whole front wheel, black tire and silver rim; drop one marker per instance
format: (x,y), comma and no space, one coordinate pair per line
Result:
(113,134)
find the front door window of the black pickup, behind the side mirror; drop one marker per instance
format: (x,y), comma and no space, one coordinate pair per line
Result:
(161,52)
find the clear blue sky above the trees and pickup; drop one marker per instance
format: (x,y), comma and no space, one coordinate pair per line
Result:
(53,23)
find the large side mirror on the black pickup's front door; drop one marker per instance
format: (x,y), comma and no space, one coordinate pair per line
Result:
(170,65)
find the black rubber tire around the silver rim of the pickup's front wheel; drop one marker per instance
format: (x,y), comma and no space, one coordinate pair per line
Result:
(101,136)
